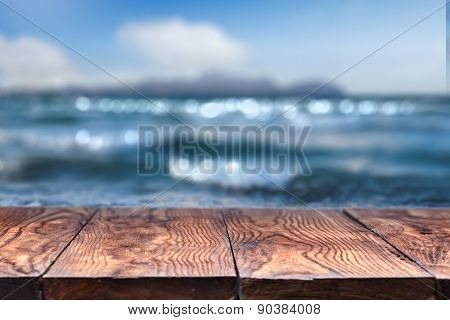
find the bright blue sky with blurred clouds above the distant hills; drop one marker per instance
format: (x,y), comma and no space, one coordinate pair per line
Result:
(285,40)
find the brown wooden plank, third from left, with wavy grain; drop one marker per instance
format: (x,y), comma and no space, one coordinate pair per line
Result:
(304,254)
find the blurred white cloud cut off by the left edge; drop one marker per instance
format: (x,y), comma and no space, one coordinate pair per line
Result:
(27,62)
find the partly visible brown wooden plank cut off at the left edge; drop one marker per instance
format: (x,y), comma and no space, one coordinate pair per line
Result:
(30,241)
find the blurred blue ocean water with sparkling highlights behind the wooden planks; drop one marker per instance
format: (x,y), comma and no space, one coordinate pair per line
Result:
(361,151)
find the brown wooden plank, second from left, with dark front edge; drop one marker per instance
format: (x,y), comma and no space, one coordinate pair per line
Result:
(146,254)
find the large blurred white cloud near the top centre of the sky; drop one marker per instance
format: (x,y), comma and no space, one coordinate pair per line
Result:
(179,47)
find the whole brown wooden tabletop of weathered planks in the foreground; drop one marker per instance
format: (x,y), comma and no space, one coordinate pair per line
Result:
(132,253)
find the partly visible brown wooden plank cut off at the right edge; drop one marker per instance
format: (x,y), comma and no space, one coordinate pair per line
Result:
(422,234)
